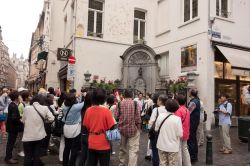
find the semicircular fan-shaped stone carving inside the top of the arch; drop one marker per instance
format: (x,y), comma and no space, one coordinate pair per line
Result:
(139,58)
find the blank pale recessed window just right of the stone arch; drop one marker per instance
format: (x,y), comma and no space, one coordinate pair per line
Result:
(163,63)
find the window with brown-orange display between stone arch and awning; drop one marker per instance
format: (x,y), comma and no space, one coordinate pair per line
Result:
(189,58)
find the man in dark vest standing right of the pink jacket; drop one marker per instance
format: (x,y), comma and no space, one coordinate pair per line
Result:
(194,108)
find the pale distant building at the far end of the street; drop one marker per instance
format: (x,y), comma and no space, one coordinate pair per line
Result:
(22,68)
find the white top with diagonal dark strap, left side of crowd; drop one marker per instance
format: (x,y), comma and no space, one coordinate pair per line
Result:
(33,123)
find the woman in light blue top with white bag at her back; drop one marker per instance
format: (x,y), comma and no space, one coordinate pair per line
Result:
(71,129)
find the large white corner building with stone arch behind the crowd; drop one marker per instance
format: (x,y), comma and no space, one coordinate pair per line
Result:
(147,42)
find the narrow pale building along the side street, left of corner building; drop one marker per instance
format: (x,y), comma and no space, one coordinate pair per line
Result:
(46,39)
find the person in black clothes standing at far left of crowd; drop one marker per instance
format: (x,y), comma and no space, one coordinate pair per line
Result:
(13,126)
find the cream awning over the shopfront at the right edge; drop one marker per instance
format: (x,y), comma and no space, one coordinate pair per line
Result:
(239,60)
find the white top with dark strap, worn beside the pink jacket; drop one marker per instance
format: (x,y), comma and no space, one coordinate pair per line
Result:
(170,134)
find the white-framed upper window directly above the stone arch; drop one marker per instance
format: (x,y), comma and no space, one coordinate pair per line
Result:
(139,20)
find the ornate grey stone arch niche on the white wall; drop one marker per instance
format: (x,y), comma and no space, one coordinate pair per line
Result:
(139,63)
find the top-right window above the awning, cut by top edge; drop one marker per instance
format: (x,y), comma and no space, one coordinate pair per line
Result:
(222,8)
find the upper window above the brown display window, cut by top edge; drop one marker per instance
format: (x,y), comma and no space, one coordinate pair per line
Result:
(190,9)
